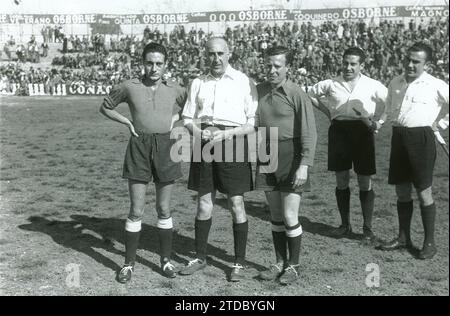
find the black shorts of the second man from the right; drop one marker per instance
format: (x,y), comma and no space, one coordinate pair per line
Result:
(351,143)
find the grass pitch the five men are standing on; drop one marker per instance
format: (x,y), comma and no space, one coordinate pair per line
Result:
(63,205)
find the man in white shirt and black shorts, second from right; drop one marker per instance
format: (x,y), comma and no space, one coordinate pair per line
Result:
(350,101)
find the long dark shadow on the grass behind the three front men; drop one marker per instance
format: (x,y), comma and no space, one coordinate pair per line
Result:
(73,234)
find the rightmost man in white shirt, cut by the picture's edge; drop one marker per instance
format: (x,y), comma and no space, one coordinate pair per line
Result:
(414,102)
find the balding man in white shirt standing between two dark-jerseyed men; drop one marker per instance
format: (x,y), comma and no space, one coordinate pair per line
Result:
(221,106)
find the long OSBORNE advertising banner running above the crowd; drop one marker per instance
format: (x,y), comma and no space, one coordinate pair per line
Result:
(231,16)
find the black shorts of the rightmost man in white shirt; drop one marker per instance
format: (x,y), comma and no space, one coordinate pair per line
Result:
(413,154)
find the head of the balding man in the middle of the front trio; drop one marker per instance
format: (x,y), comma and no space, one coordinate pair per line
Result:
(217,54)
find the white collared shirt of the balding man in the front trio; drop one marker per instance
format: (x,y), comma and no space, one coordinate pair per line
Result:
(231,100)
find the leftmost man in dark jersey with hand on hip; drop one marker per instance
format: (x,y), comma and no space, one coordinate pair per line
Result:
(154,105)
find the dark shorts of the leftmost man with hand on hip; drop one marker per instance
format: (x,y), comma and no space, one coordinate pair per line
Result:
(148,157)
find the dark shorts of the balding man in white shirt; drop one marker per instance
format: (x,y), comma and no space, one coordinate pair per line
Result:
(232,178)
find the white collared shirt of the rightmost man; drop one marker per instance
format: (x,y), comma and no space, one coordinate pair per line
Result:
(418,103)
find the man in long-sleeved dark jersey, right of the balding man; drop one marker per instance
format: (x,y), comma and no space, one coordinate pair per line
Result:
(284,105)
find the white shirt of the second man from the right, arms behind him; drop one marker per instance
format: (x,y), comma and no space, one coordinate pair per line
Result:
(347,104)
